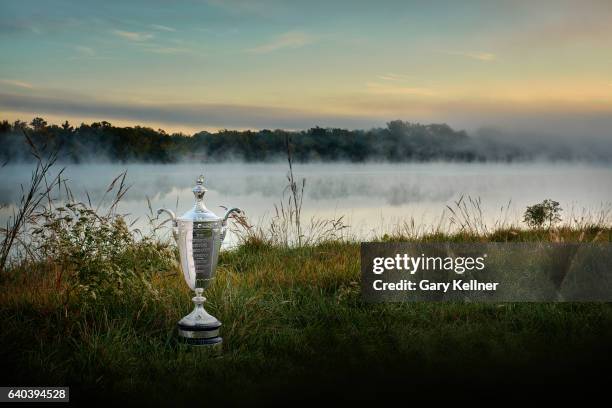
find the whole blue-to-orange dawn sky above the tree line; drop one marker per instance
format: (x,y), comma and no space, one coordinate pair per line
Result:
(190,65)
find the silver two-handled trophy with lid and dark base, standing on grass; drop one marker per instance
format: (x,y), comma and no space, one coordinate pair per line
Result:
(199,234)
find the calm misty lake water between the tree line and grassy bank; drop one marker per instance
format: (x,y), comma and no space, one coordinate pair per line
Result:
(372,197)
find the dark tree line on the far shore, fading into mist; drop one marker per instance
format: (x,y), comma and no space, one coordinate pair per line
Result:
(398,141)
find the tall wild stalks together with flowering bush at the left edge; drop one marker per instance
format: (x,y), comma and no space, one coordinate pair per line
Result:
(86,249)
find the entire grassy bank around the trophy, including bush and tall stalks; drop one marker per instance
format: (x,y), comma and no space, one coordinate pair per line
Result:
(88,305)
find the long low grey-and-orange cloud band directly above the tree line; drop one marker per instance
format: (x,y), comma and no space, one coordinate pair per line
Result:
(356,111)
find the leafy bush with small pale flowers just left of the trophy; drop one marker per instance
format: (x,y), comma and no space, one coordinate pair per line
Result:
(98,255)
